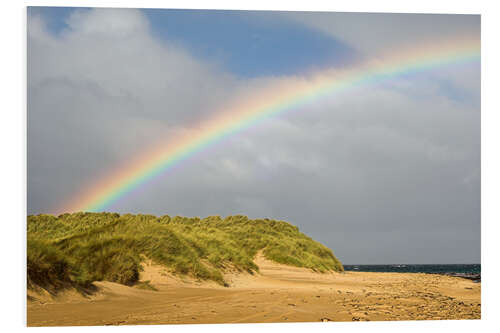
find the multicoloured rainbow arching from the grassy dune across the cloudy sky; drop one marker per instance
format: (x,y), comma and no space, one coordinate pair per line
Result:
(256,106)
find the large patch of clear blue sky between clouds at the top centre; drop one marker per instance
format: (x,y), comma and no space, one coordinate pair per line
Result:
(250,43)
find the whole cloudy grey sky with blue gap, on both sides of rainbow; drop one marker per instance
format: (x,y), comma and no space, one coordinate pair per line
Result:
(382,173)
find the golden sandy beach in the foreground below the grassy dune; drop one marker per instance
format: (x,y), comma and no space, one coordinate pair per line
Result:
(278,293)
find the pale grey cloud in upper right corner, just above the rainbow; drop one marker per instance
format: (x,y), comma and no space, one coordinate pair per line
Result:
(377,32)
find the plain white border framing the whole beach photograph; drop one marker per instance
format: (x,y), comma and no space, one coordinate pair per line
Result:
(13,141)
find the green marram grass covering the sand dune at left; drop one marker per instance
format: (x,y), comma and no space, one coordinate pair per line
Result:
(81,248)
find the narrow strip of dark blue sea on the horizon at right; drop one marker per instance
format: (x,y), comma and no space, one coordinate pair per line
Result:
(451,269)
